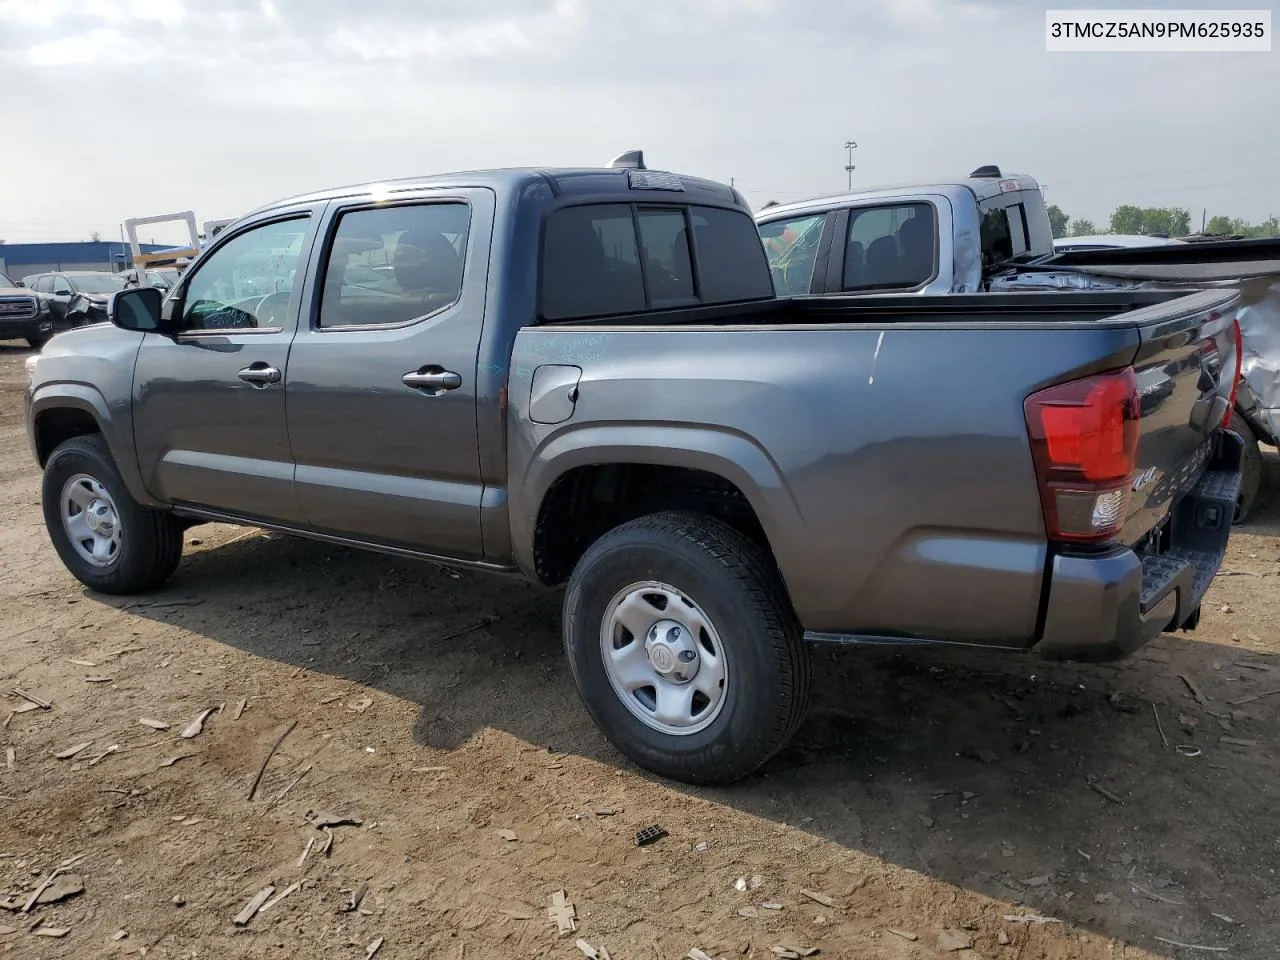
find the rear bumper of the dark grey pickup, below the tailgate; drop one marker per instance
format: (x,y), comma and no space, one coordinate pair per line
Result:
(1105,606)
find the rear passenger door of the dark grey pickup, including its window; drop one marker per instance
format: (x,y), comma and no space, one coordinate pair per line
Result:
(382,399)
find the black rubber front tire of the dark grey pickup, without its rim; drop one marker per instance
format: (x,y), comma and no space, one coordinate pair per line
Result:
(150,542)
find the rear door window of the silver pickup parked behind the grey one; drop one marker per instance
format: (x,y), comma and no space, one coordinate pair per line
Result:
(890,248)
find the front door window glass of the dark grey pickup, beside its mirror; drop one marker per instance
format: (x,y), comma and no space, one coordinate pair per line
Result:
(248,282)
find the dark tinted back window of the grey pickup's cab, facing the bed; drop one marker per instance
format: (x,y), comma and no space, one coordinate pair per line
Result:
(607,259)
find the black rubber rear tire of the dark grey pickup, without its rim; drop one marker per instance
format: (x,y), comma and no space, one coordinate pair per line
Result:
(739,591)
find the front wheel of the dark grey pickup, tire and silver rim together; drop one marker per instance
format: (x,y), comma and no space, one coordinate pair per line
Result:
(107,540)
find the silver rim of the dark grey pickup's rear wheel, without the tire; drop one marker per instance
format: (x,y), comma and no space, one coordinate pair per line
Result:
(664,659)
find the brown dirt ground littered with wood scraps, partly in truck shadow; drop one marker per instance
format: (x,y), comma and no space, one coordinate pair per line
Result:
(930,797)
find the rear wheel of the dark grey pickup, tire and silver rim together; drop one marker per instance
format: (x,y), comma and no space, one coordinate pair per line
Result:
(685,650)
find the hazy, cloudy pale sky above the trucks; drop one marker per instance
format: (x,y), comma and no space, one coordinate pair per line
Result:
(134,108)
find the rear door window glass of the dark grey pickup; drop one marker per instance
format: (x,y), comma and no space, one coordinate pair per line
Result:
(396,264)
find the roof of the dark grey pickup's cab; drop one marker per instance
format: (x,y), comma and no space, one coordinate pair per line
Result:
(563,181)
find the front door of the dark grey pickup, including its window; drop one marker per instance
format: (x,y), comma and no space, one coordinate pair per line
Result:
(209,400)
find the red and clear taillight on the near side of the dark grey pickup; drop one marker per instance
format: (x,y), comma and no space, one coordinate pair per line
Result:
(1085,442)
